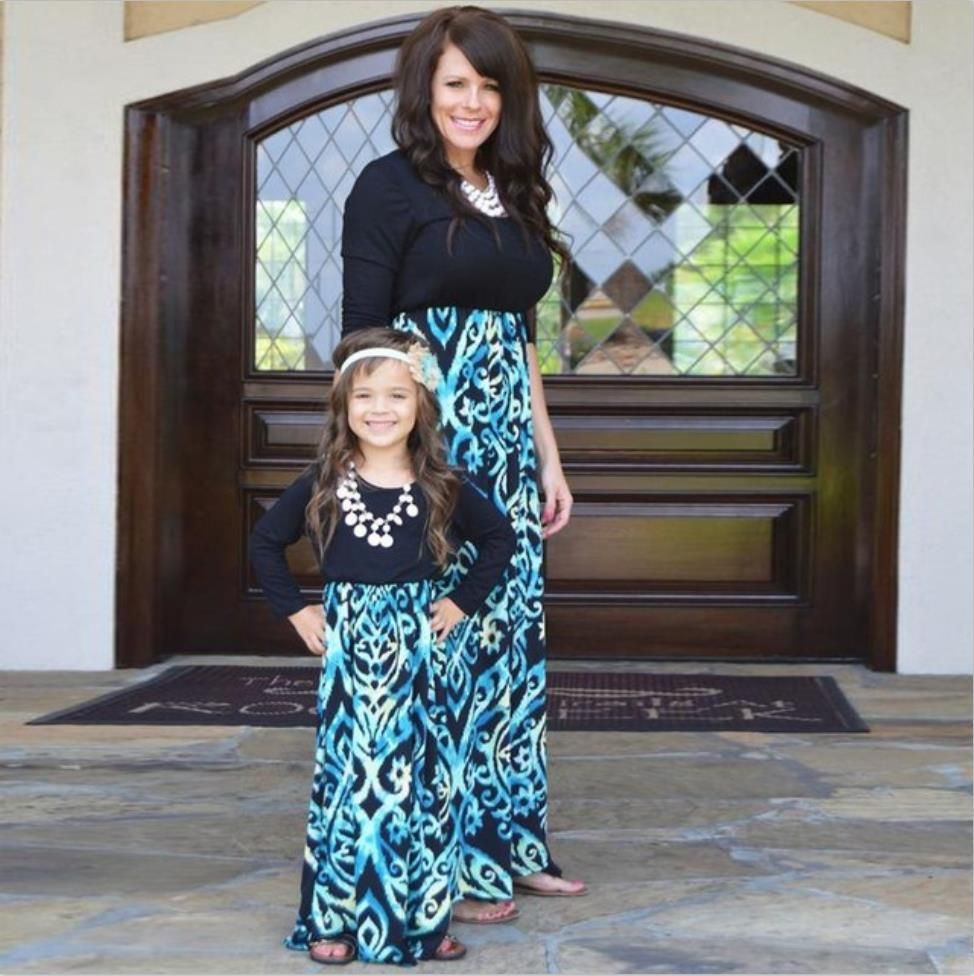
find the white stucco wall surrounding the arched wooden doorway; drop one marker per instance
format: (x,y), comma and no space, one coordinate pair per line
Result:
(67,76)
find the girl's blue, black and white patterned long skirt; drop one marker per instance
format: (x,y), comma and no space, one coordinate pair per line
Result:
(381,851)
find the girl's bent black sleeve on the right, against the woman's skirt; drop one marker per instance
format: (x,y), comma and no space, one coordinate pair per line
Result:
(477,518)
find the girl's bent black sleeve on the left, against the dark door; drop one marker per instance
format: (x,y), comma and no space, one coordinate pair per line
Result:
(278,528)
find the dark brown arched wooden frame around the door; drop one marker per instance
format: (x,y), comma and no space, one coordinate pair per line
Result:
(158,142)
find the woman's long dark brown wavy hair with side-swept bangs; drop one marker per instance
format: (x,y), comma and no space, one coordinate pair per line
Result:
(518,151)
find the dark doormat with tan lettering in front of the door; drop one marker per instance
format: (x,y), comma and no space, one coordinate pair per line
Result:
(578,701)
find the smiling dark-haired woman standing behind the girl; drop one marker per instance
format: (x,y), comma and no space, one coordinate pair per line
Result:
(448,238)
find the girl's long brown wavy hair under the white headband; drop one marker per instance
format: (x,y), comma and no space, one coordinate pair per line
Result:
(339,445)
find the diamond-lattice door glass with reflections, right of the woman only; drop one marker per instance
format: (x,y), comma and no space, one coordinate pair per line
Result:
(684,240)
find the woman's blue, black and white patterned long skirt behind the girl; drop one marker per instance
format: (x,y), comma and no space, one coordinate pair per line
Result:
(496,660)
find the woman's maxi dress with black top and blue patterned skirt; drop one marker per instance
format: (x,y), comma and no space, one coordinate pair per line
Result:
(468,300)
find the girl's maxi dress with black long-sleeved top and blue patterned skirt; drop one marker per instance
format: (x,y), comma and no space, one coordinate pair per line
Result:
(381,848)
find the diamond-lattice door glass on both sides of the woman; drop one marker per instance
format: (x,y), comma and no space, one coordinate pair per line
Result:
(683,231)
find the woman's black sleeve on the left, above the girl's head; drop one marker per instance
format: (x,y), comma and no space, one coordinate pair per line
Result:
(376,225)
